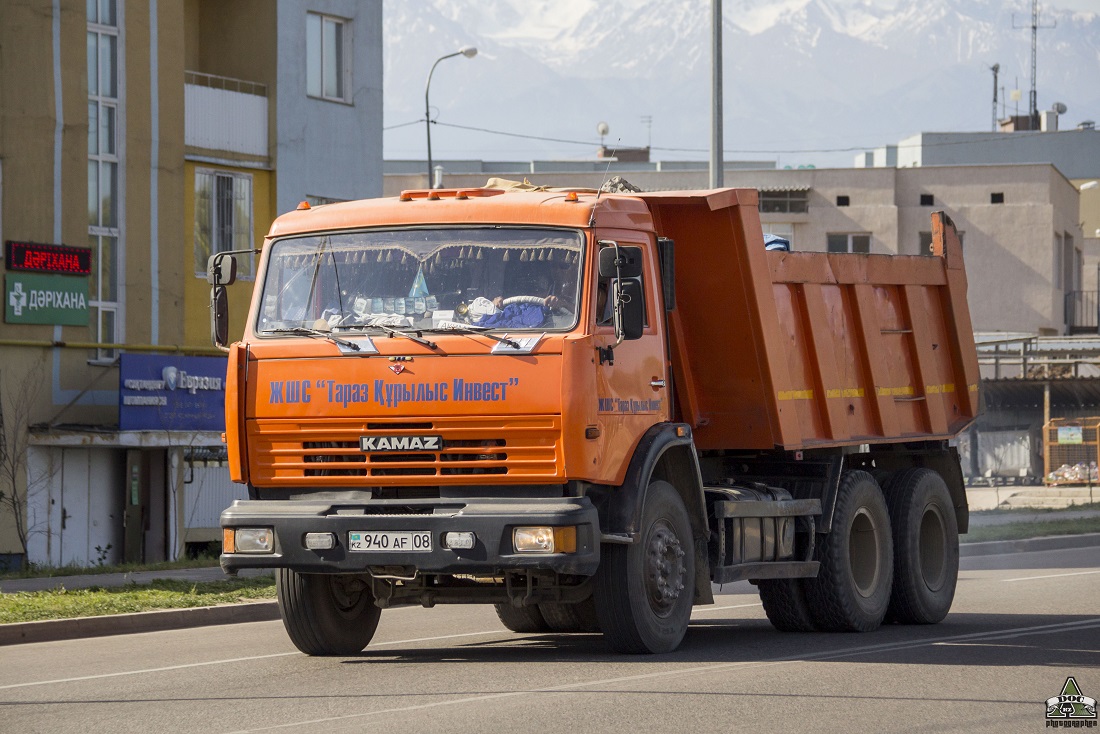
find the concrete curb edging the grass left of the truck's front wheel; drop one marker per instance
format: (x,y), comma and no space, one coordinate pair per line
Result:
(127,625)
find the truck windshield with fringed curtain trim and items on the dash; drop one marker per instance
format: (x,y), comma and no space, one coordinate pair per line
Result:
(420,279)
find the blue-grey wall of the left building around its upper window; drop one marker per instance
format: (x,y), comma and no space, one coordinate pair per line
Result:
(329,149)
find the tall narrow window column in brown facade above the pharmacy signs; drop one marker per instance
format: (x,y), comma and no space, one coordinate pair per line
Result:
(104,189)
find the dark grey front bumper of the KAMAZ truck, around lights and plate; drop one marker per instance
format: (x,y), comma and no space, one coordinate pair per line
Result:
(492,520)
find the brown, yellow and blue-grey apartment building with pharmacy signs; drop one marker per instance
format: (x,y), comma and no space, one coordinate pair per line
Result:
(137,138)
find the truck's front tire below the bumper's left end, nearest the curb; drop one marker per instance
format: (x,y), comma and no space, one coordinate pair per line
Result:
(327,615)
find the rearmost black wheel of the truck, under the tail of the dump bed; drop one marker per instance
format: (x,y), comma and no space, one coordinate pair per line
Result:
(927,547)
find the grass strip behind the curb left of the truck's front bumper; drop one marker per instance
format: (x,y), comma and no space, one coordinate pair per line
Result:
(160,595)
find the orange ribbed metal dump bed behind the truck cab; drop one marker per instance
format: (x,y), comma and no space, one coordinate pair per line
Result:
(809,349)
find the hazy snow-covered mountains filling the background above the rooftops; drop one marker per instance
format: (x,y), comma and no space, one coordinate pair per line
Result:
(807,82)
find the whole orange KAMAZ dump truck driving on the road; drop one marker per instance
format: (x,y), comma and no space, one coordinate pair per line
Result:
(586,409)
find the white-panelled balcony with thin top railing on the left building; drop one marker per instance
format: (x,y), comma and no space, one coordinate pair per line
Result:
(224,115)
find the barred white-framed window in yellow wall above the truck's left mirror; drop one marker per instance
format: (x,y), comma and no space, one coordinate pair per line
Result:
(223,217)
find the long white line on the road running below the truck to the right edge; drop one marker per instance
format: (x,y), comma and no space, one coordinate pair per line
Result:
(867,650)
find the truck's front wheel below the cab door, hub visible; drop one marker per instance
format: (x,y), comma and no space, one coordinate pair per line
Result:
(645,590)
